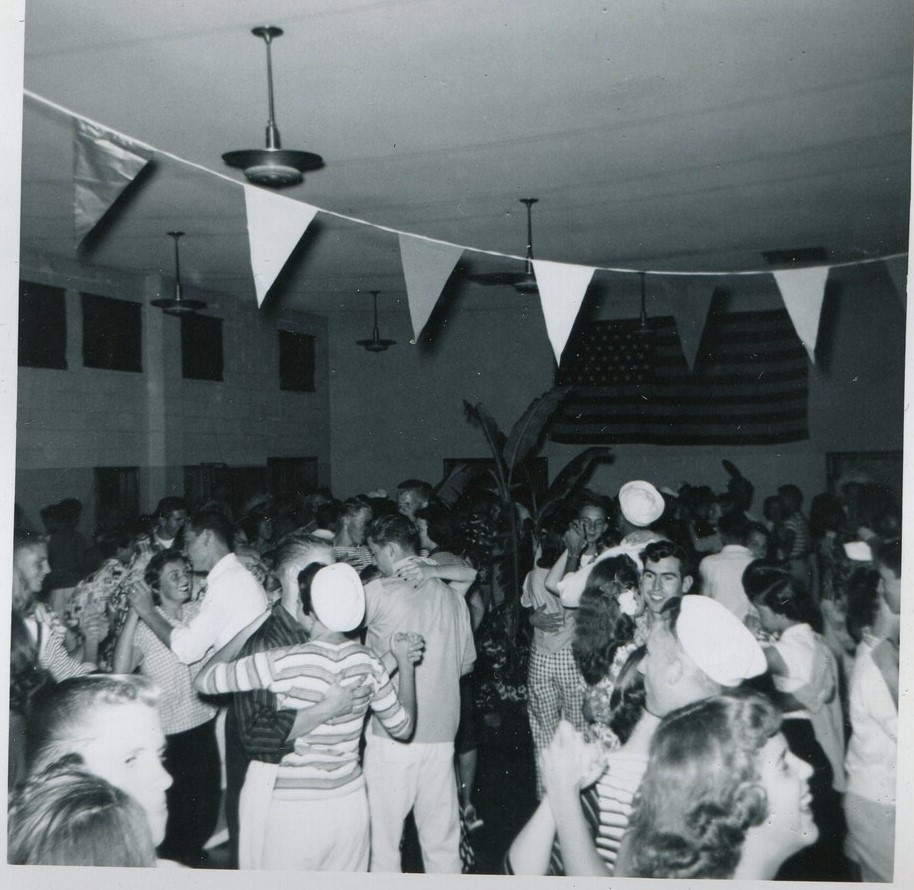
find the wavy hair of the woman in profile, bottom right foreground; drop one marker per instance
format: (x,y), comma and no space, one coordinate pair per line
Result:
(701,792)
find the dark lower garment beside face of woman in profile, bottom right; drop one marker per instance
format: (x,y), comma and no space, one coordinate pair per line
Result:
(824,860)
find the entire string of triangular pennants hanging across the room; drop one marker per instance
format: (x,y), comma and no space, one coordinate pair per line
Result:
(108,161)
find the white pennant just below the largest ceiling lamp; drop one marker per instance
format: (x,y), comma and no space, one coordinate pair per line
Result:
(275,226)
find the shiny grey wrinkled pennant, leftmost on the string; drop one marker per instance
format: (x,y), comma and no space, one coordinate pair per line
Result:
(105,164)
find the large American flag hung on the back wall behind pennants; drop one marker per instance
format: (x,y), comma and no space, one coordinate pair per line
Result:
(749,386)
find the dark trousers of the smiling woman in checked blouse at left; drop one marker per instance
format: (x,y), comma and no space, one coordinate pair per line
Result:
(192,758)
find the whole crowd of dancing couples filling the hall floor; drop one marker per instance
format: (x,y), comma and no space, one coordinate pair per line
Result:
(710,693)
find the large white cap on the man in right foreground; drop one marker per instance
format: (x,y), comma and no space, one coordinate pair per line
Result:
(717,641)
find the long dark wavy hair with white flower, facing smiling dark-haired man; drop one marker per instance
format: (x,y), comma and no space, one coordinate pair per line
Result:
(600,626)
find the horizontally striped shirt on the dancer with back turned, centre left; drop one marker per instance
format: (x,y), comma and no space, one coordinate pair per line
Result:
(326,759)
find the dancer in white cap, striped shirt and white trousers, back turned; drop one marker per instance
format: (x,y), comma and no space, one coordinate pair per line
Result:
(319,784)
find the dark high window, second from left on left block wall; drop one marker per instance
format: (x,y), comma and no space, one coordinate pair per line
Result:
(112,333)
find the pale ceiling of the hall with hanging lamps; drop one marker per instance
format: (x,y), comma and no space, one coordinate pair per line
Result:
(657,135)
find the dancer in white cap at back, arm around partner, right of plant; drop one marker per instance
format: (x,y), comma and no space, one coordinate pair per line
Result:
(640,505)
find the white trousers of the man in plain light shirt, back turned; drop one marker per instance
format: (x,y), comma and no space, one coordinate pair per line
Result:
(419,777)
